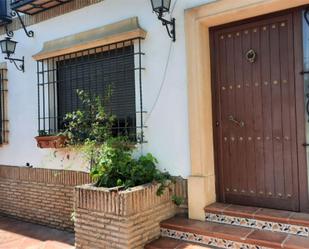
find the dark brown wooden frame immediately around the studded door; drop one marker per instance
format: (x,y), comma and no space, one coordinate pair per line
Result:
(299,105)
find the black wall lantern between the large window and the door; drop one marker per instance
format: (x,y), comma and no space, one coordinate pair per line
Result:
(160,7)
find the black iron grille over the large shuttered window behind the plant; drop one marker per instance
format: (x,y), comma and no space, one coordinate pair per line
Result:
(114,67)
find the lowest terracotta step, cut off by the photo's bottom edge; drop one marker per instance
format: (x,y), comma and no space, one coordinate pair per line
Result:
(167,243)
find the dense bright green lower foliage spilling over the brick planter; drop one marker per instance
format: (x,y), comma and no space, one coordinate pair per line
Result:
(114,165)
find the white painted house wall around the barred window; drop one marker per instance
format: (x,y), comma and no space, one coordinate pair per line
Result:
(167,133)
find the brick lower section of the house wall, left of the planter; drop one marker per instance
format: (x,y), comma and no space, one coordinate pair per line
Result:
(42,196)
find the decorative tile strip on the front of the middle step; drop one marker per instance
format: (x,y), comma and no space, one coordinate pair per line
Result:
(206,240)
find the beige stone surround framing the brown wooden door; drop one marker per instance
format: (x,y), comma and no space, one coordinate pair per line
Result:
(198,20)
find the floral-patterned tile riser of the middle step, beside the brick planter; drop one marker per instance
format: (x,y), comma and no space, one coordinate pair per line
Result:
(213,241)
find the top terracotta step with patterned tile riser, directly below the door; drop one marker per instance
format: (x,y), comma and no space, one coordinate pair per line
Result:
(259,218)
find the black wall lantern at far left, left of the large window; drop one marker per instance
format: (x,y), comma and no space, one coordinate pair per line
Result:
(8,47)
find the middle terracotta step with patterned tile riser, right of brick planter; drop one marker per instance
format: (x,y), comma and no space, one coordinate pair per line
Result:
(228,236)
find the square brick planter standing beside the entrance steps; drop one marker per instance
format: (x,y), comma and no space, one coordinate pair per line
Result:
(126,219)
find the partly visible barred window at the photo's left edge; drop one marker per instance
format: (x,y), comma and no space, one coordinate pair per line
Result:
(3,107)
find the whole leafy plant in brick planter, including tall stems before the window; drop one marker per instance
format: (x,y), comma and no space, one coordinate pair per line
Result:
(111,158)
